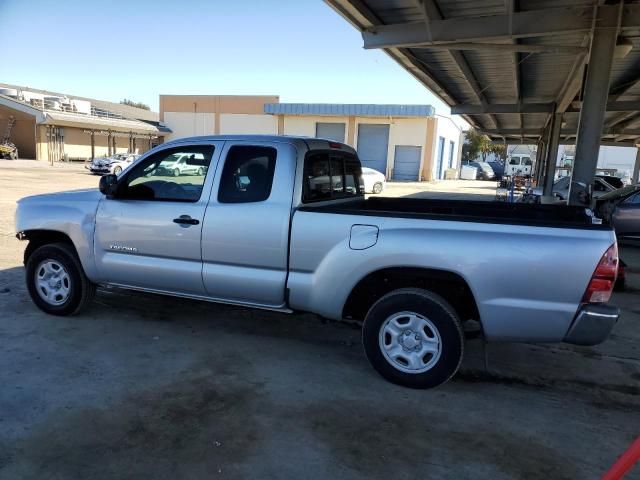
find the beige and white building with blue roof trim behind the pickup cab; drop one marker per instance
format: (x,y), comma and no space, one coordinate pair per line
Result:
(406,142)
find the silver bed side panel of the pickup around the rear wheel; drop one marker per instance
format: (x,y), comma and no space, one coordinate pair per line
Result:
(527,281)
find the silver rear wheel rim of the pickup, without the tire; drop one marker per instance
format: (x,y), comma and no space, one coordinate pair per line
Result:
(410,342)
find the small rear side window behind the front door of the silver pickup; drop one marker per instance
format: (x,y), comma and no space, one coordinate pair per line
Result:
(247,175)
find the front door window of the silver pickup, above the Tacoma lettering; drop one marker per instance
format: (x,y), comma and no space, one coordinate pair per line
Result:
(158,178)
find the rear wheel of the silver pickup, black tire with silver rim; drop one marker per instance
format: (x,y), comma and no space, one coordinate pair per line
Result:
(424,322)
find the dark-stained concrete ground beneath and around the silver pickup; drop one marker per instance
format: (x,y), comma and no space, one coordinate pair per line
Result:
(142,386)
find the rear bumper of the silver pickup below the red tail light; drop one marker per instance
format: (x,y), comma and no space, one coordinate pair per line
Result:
(592,325)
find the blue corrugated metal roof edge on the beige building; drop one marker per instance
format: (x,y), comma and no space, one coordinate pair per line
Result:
(349,109)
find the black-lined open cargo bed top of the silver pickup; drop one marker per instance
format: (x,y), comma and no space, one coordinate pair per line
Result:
(558,216)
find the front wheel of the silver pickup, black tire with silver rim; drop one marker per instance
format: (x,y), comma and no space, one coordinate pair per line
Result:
(79,292)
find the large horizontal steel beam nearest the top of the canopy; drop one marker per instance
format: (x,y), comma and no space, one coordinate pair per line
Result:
(532,23)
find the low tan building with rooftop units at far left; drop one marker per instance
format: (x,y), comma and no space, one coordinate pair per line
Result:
(51,126)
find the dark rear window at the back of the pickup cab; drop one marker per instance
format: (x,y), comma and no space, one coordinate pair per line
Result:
(329,176)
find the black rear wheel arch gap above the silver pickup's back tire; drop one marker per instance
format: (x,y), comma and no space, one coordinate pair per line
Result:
(449,285)
